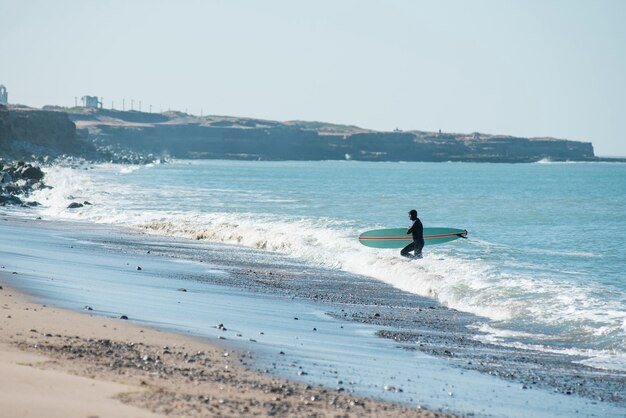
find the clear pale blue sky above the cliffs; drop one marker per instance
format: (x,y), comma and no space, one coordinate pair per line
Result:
(527,67)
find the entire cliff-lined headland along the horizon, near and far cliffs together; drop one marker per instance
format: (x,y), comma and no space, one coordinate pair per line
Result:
(101,134)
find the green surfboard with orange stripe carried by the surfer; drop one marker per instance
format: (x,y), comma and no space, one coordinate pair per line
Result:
(398,238)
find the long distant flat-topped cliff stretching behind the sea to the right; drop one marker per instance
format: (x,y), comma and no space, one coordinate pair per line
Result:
(184,136)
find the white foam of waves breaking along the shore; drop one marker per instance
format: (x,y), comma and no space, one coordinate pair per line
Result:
(465,284)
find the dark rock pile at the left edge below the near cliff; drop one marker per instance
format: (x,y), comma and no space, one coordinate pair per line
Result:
(17,180)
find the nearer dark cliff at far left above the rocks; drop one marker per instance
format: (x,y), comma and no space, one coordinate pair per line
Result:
(25,131)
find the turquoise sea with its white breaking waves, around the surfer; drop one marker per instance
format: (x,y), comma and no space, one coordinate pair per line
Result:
(544,259)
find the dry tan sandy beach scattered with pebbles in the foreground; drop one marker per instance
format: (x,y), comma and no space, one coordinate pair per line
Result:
(59,363)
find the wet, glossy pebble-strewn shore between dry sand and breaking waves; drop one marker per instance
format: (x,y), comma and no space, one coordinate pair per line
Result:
(252,291)
